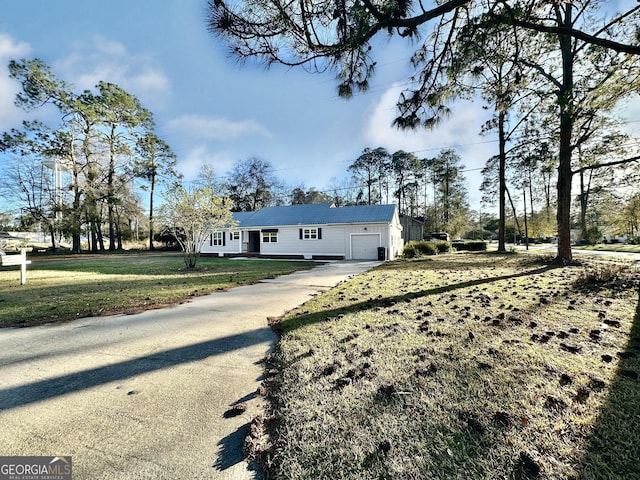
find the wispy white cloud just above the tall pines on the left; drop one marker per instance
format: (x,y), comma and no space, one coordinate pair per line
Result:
(110,61)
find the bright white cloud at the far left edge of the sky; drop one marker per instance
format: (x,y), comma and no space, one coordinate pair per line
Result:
(10,49)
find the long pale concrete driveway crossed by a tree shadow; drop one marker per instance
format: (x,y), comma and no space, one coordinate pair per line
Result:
(143,396)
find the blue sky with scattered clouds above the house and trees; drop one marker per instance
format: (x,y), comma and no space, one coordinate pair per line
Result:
(212,110)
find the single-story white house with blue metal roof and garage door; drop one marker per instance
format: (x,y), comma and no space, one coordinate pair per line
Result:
(314,231)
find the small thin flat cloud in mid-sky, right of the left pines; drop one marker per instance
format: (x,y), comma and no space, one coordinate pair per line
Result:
(212,128)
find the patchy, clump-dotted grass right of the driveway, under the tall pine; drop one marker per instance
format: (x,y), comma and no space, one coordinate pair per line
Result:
(468,366)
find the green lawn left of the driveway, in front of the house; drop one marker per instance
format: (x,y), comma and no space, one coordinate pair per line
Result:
(64,288)
